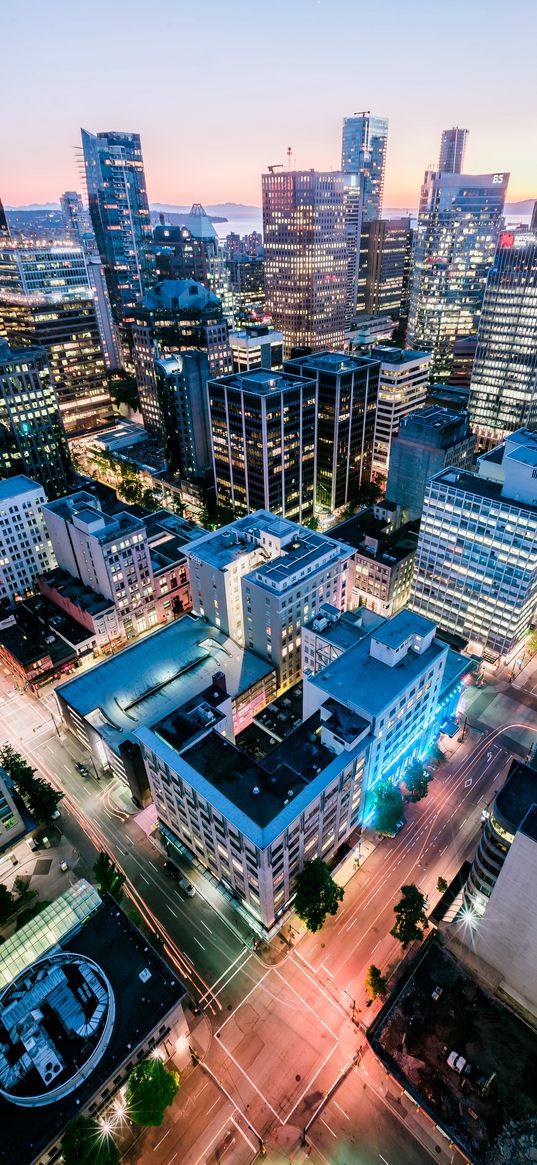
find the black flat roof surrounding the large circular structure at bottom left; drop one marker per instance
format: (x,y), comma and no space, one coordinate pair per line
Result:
(142,1006)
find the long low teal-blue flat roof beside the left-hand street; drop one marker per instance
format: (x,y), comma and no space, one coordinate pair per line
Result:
(162,672)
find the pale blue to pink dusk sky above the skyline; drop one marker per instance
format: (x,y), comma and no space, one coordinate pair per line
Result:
(220,90)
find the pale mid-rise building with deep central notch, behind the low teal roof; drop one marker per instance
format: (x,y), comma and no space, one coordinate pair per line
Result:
(262,578)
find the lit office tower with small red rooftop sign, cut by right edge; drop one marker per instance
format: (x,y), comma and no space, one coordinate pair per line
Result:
(504,389)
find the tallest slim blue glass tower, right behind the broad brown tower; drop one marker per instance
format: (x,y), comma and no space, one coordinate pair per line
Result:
(364,146)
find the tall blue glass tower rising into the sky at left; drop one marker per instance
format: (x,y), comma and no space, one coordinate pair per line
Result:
(119,210)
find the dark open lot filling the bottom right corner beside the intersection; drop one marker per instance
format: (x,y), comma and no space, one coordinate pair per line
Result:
(416,1035)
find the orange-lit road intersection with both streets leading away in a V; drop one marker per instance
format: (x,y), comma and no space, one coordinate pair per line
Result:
(281,1036)
